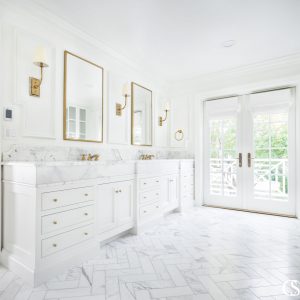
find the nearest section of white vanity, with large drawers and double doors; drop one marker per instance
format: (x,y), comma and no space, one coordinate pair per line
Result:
(55,218)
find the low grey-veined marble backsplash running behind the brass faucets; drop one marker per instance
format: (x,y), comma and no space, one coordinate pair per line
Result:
(41,153)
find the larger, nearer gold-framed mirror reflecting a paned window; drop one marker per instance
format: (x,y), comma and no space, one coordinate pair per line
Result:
(83,100)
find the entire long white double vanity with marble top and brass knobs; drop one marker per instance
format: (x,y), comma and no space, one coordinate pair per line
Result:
(56,215)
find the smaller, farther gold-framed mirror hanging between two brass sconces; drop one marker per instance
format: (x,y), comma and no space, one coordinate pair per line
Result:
(141,114)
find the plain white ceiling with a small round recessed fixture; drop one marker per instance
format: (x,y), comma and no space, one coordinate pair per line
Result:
(180,39)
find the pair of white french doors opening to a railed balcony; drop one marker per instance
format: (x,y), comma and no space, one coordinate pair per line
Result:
(249,152)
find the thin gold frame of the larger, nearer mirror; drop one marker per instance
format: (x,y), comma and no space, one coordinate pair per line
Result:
(66,53)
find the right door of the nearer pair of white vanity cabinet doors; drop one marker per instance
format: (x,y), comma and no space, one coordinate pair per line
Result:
(124,202)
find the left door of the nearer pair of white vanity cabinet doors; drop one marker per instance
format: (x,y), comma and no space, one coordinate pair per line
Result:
(106,207)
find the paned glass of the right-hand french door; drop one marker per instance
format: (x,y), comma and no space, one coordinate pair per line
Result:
(271,156)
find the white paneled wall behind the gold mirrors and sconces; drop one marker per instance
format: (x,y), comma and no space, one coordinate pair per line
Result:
(40,120)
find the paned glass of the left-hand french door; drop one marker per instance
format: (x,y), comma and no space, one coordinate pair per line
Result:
(223,162)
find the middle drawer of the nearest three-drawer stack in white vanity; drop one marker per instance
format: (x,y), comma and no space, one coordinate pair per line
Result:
(67,218)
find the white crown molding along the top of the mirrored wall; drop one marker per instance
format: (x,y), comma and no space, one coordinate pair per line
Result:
(32,10)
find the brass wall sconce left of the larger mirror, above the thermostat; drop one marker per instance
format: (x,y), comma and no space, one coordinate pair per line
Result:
(40,61)
